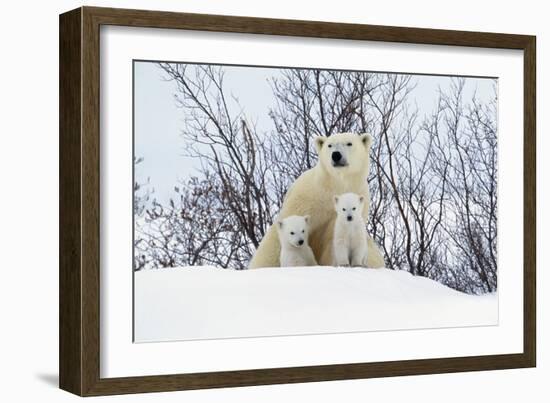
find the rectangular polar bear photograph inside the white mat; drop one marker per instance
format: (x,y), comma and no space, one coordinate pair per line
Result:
(286,201)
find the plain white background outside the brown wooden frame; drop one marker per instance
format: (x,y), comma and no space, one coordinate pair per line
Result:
(29,199)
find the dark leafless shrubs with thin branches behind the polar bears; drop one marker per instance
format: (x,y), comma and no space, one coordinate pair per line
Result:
(433,178)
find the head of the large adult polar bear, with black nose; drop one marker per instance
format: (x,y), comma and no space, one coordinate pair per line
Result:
(344,152)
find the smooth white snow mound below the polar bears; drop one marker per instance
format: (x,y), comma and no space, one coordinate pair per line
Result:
(208,303)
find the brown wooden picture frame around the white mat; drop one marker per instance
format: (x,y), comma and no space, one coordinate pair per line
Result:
(79,348)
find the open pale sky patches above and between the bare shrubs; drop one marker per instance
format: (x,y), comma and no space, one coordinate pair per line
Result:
(158,122)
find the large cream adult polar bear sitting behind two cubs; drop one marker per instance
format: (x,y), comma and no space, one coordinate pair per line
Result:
(343,167)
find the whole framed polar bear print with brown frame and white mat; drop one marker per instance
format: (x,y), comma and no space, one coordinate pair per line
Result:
(249,201)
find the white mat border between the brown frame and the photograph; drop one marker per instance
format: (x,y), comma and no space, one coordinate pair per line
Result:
(120,357)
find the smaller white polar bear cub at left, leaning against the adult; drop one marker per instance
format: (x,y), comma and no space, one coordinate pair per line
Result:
(293,237)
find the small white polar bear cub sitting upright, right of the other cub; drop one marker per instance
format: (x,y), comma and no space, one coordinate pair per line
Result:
(350,232)
